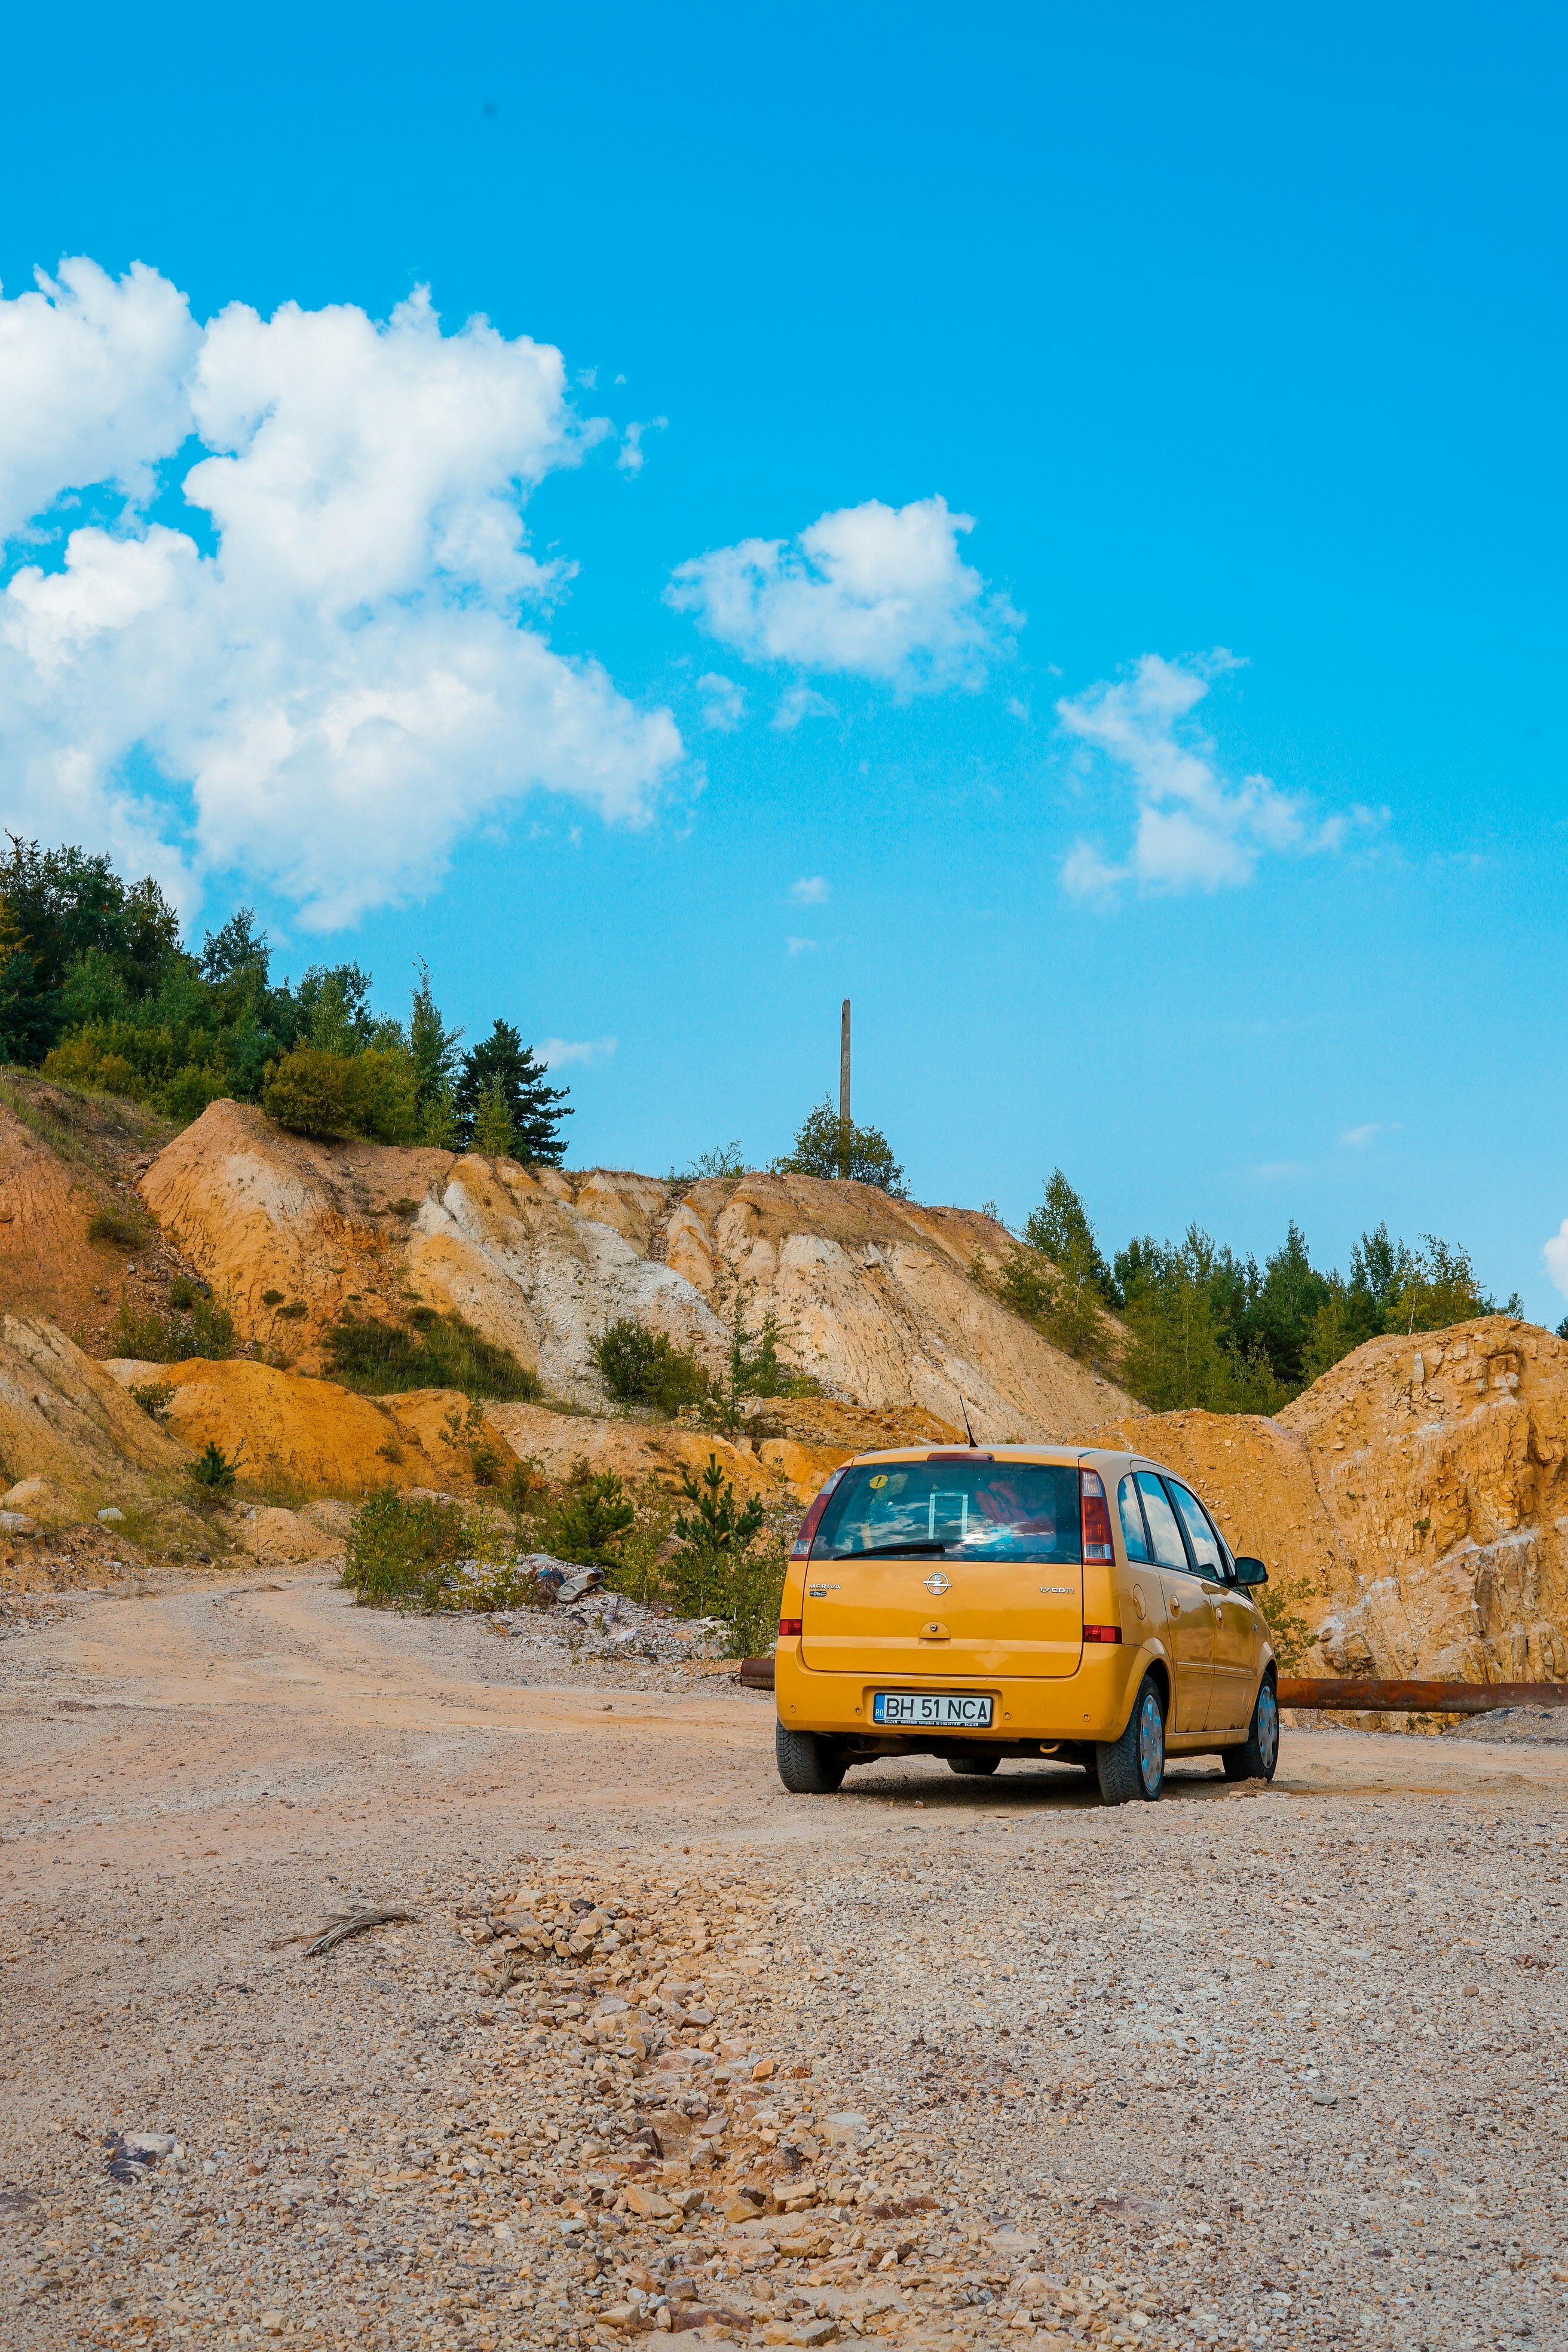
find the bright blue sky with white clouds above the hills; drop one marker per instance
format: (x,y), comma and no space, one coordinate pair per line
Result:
(1198,824)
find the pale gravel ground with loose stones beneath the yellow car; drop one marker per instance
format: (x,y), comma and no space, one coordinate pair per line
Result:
(930,2062)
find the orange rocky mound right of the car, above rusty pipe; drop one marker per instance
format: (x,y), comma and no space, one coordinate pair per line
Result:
(1419,1492)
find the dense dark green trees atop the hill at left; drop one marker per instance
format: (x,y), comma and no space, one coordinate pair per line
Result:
(100,991)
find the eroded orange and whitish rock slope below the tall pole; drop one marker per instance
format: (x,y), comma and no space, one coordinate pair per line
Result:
(871,1295)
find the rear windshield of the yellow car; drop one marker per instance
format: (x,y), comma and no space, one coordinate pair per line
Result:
(958,1509)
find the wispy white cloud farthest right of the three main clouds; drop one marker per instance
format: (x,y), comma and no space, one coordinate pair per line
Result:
(1193,827)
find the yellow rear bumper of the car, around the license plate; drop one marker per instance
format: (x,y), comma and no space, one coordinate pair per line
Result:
(1071,1709)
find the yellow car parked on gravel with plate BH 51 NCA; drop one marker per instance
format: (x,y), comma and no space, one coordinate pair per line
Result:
(1021,1603)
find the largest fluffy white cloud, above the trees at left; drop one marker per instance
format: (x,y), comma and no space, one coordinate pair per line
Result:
(351,667)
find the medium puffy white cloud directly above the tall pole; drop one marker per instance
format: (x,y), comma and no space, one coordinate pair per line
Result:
(869,592)
